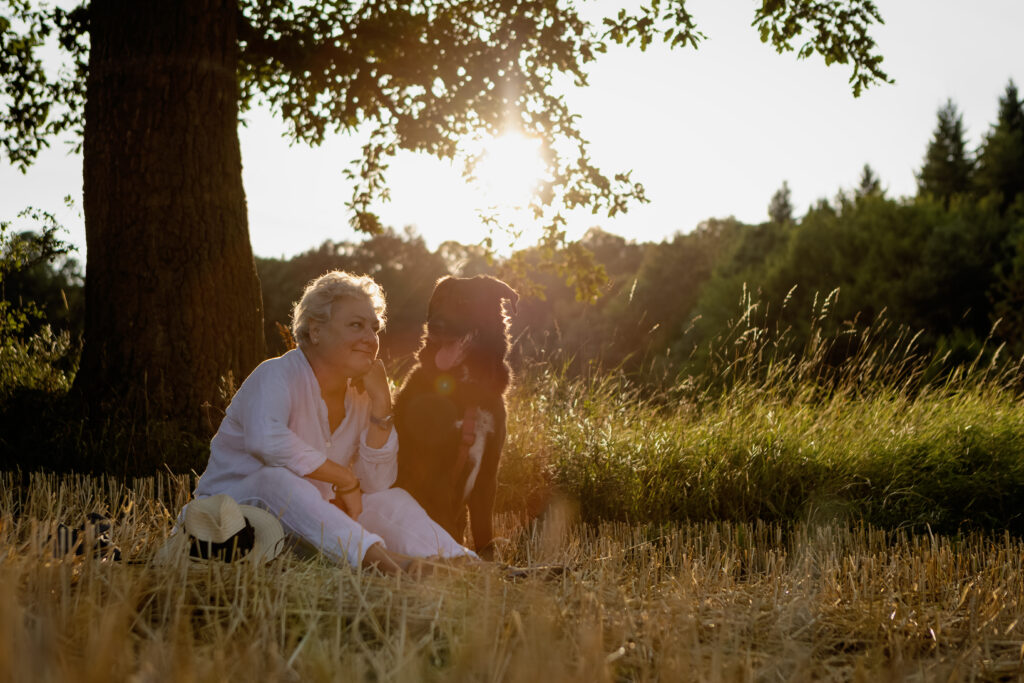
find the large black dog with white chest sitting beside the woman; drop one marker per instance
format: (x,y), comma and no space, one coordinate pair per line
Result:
(451,411)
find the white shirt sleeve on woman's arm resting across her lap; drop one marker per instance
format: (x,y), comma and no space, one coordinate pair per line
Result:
(265,413)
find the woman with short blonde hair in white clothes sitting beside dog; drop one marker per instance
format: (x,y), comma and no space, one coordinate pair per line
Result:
(309,437)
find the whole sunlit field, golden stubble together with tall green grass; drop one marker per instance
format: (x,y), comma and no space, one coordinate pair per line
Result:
(796,519)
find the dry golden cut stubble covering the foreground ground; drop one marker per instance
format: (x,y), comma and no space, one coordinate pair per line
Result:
(713,602)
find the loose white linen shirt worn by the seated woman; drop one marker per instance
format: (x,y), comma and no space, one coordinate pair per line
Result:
(279,419)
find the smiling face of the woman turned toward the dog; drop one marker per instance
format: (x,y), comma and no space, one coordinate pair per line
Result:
(349,341)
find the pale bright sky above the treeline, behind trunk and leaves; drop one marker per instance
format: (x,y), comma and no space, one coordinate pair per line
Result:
(710,134)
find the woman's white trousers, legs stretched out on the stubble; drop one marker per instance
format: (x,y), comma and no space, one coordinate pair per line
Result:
(392,518)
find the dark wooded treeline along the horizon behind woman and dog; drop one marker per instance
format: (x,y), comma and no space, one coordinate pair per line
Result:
(947,265)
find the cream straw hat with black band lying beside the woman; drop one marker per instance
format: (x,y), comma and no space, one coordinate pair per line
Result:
(218,528)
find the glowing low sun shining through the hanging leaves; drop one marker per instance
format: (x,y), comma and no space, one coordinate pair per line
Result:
(509,172)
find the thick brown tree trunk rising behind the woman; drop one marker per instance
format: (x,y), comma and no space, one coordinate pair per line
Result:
(174,306)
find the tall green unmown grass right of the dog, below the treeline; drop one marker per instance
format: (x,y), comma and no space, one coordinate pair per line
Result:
(843,423)
